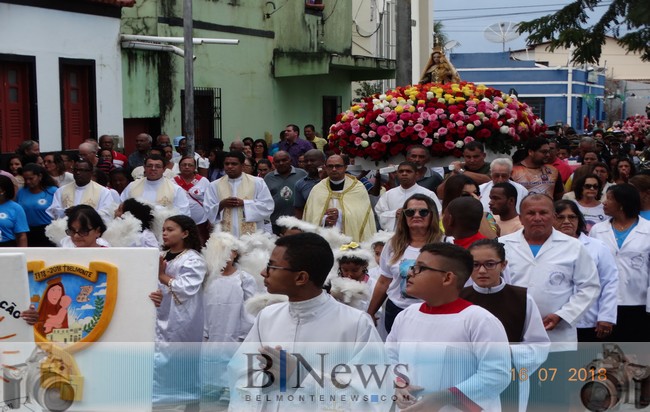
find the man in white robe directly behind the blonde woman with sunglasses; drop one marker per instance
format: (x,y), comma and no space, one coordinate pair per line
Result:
(390,203)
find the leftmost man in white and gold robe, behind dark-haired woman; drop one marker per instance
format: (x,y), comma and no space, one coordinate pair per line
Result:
(83,191)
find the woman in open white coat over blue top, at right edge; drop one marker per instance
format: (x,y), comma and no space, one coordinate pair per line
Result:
(628,237)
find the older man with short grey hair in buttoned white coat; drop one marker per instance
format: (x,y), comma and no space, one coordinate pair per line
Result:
(561,276)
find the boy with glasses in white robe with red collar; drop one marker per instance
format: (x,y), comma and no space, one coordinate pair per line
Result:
(457,352)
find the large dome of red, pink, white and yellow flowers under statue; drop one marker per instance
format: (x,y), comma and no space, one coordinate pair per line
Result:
(441,117)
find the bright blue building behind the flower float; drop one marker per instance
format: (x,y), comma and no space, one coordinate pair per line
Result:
(566,94)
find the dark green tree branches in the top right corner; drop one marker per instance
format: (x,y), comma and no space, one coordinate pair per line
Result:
(626,20)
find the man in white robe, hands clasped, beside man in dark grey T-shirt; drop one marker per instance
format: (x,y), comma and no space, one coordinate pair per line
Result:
(238,201)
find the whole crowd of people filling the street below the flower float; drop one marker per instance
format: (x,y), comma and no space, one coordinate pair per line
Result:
(537,252)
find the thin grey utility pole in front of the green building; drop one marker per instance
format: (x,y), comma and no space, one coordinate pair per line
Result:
(189,76)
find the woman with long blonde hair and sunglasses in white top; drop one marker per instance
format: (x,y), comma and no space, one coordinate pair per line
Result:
(417,225)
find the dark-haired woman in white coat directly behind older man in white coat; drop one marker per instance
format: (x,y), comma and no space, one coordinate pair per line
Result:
(597,323)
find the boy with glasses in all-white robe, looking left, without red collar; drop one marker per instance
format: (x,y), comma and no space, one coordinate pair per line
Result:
(270,369)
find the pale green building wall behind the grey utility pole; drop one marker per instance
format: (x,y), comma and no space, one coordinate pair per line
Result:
(253,100)
